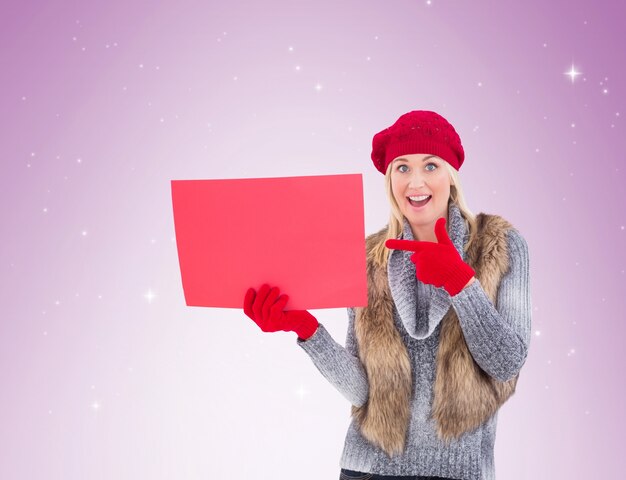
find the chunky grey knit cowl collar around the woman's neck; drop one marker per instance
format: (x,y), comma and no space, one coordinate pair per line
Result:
(404,286)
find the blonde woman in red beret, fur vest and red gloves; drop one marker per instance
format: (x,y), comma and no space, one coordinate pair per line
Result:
(438,349)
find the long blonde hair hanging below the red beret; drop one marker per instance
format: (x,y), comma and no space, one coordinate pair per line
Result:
(396,219)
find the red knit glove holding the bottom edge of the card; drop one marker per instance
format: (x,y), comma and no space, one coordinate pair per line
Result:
(266,309)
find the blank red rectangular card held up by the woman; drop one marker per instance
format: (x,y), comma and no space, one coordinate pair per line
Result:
(304,235)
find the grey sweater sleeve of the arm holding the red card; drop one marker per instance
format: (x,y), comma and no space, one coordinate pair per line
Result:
(340,366)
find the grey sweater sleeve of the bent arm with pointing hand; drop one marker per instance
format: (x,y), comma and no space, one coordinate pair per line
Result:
(498,336)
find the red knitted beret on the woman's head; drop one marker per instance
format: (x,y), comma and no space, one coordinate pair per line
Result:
(419,131)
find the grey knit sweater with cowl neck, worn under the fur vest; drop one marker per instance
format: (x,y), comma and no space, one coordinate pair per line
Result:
(497,337)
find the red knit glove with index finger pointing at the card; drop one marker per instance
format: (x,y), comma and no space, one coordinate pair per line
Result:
(437,263)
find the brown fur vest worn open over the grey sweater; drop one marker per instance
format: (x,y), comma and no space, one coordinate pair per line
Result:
(464,396)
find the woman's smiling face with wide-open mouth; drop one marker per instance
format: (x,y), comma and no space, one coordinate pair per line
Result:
(419,175)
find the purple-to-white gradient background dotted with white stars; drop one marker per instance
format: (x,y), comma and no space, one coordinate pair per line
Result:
(105,373)
